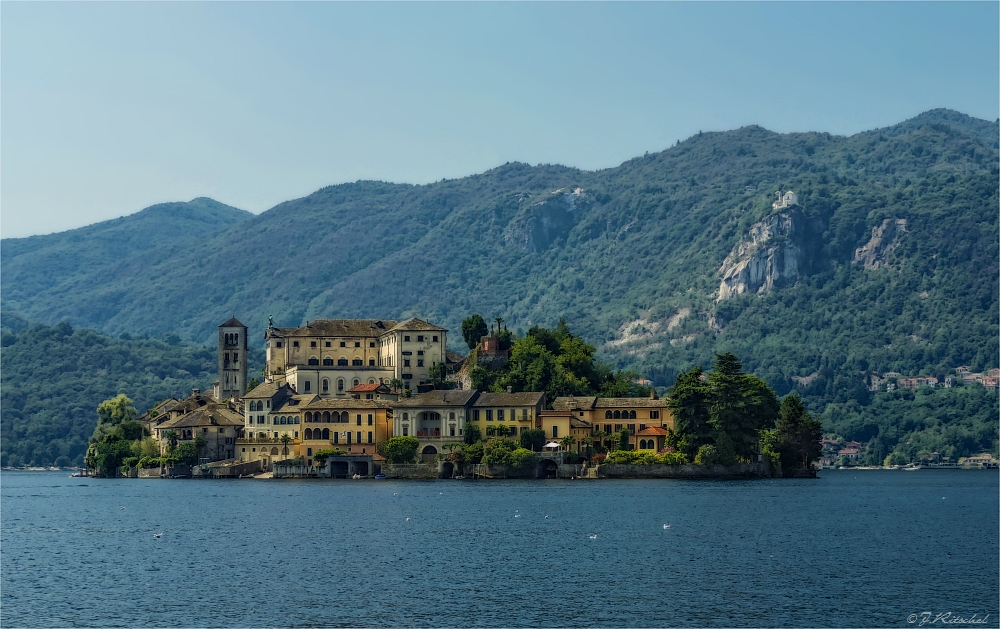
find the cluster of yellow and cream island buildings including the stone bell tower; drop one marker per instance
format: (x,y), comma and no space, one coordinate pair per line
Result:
(340,388)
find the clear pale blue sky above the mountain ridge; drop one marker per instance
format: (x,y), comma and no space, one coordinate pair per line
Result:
(108,108)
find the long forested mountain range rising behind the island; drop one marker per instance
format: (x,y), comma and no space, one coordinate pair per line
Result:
(887,262)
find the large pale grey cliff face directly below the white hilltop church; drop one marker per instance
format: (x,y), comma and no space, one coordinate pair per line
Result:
(769,256)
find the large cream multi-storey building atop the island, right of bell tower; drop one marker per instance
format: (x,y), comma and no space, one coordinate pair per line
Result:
(329,357)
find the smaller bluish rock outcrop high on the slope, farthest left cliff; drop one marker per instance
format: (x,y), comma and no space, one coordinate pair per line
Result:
(540,224)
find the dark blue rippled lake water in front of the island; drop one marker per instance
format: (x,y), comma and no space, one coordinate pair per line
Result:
(850,549)
